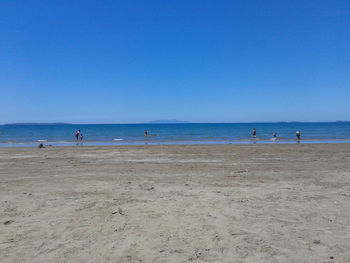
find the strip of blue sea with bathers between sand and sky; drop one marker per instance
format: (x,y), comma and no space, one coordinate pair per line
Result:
(184,133)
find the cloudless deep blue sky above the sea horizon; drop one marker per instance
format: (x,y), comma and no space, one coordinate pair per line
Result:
(202,61)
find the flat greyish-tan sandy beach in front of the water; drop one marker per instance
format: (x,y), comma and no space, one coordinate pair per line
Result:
(199,203)
